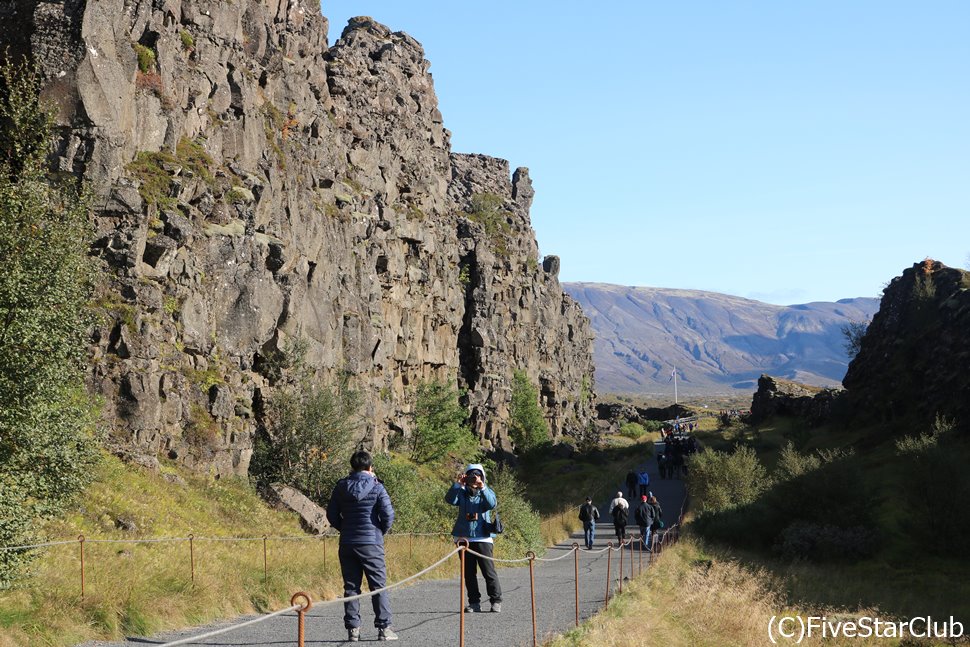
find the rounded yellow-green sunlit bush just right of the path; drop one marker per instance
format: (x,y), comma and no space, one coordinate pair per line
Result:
(720,481)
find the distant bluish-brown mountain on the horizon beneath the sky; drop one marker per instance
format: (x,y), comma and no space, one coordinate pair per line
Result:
(719,344)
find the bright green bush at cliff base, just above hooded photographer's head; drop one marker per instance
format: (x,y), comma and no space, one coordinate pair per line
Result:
(440,427)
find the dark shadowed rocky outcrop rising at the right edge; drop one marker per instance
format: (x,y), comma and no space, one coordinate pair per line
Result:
(913,361)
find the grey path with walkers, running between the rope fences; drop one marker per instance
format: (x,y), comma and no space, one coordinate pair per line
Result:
(426,612)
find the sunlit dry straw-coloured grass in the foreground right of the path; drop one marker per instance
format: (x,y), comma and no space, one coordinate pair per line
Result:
(690,598)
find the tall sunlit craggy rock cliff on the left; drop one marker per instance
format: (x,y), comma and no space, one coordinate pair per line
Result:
(253,185)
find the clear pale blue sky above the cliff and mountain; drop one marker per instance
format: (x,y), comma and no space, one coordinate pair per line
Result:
(781,151)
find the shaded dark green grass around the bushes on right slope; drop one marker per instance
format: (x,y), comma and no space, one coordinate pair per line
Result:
(901,578)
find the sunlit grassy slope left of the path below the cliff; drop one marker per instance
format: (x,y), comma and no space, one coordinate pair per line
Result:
(144,588)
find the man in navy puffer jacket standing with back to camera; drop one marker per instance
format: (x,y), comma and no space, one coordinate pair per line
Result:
(361,510)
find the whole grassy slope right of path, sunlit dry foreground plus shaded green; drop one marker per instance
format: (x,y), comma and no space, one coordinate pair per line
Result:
(685,602)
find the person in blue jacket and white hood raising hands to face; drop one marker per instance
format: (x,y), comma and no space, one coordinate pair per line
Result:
(475,500)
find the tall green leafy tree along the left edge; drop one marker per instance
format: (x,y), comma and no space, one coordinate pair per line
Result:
(46,416)
